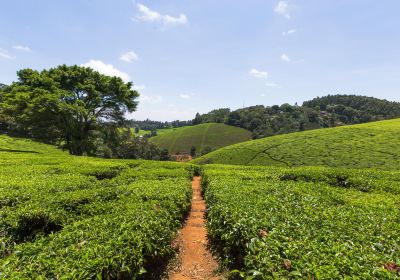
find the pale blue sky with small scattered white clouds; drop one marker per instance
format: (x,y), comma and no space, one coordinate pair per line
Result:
(188,56)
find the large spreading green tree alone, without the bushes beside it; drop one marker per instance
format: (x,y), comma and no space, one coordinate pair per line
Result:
(66,104)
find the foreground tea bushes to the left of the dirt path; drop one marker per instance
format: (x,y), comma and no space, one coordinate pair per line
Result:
(85,218)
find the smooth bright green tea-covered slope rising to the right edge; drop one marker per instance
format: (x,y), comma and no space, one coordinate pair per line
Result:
(374,145)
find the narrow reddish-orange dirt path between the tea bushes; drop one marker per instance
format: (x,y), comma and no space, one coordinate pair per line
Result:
(196,262)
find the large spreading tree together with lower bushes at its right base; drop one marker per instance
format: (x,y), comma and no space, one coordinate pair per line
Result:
(76,108)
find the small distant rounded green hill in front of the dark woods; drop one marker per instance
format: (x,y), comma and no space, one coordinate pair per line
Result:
(213,135)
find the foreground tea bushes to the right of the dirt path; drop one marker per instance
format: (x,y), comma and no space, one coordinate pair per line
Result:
(304,223)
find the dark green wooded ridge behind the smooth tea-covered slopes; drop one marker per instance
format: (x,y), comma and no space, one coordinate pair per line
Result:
(328,111)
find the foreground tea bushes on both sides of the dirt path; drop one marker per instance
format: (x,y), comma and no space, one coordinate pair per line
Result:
(65,217)
